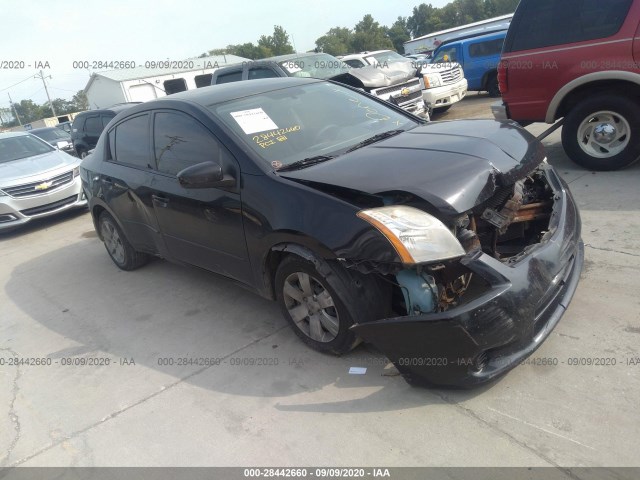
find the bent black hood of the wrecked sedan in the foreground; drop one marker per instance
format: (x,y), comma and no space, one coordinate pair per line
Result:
(454,166)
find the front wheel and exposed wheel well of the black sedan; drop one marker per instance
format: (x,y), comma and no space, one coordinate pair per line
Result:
(315,304)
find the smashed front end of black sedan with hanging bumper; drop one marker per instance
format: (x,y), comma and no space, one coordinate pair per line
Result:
(478,311)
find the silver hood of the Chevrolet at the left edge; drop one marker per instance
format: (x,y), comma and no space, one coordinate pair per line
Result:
(20,171)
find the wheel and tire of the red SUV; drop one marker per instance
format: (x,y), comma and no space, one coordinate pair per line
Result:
(603,133)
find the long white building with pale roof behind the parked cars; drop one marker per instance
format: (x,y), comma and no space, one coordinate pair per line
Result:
(153,80)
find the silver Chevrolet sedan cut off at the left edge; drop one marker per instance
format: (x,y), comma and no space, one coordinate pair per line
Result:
(36,180)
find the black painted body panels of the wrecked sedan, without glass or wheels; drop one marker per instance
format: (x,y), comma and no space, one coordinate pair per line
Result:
(311,212)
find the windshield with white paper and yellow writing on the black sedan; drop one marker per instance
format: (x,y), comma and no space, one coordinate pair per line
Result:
(306,121)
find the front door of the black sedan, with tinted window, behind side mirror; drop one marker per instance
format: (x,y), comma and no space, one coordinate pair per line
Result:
(201,227)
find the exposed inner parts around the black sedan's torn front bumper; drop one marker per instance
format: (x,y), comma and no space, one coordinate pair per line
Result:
(505,227)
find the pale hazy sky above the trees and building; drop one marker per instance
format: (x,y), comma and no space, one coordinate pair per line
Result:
(64,31)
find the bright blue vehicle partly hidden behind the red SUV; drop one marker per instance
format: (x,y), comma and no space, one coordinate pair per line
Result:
(479,57)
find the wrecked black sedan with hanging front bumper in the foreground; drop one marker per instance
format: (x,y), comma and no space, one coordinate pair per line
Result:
(453,247)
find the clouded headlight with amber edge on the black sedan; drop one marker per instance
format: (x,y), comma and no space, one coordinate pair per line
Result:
(417,236)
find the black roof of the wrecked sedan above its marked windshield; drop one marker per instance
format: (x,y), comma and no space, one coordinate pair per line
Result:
(229,91)
